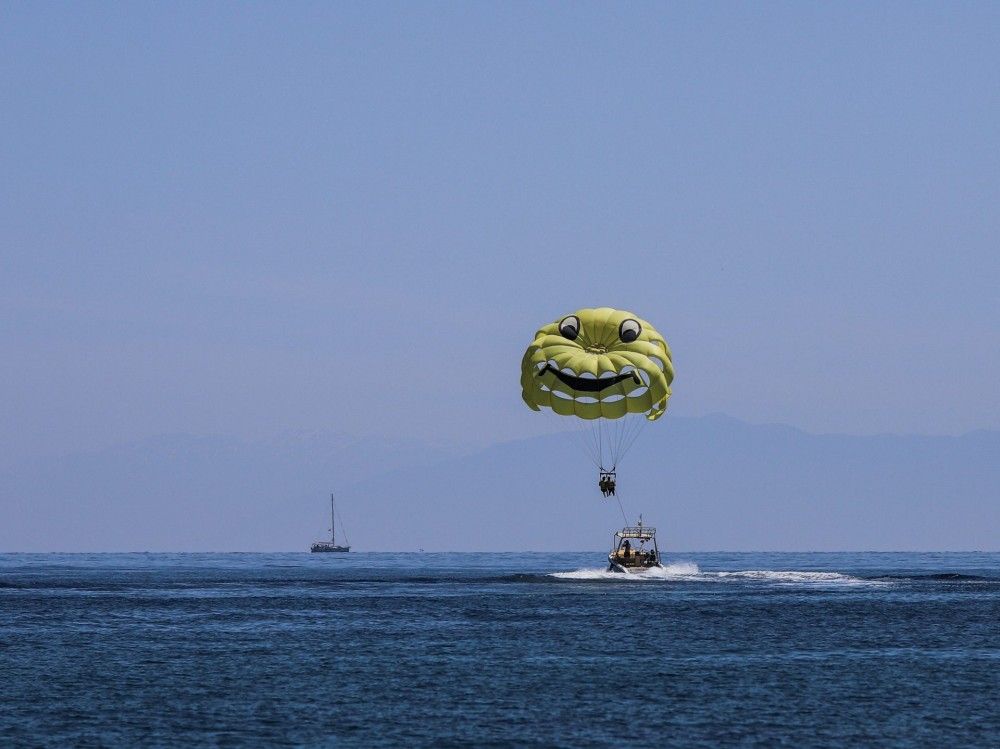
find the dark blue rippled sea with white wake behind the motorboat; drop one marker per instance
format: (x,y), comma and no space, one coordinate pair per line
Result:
(794,650)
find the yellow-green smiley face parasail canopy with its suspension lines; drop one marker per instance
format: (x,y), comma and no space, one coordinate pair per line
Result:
(605,368)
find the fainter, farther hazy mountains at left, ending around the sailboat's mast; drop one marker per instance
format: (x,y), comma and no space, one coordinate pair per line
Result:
(187,493)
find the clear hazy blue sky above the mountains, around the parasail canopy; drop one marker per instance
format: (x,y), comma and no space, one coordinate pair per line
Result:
(242,219)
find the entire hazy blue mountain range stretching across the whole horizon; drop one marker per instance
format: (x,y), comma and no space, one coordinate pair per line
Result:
(707,483)
